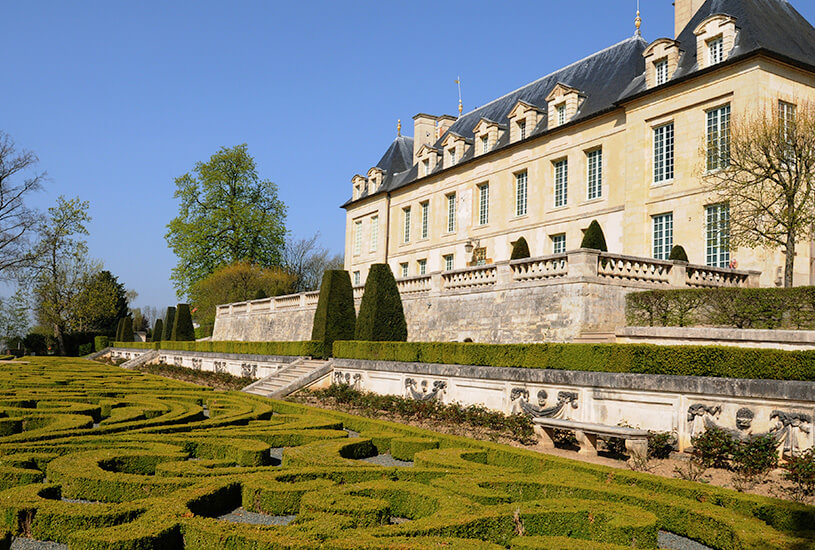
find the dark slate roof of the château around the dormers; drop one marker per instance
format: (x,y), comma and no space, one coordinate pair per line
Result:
(618,73)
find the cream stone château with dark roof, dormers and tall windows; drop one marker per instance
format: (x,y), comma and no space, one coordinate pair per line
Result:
(622,136)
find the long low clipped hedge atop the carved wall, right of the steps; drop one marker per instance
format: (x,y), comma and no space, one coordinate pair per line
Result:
(721,362)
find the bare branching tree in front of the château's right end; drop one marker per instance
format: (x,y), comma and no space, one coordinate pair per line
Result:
(767,177)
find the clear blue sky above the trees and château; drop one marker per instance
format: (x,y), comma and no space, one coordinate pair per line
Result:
(119,98)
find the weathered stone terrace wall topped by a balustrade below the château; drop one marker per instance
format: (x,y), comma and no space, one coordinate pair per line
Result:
(553,298)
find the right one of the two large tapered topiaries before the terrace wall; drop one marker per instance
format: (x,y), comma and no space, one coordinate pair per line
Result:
(381,316)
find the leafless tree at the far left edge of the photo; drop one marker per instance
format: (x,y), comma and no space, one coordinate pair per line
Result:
(17,180)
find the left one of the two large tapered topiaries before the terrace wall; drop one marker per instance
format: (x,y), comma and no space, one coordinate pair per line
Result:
(335,318)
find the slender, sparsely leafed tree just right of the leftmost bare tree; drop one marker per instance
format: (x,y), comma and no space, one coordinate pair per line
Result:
(63,268)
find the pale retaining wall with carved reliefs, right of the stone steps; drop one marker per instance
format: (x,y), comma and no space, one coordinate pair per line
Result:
(683,405)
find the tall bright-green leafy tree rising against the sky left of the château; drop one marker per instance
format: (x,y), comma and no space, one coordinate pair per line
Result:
(227,214)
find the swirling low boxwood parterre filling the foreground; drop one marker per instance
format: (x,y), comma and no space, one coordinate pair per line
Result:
(135,461)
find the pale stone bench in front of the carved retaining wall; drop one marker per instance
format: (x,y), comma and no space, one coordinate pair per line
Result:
(636,441)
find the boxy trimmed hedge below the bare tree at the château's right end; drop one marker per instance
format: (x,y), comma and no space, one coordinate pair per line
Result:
(764,308)
